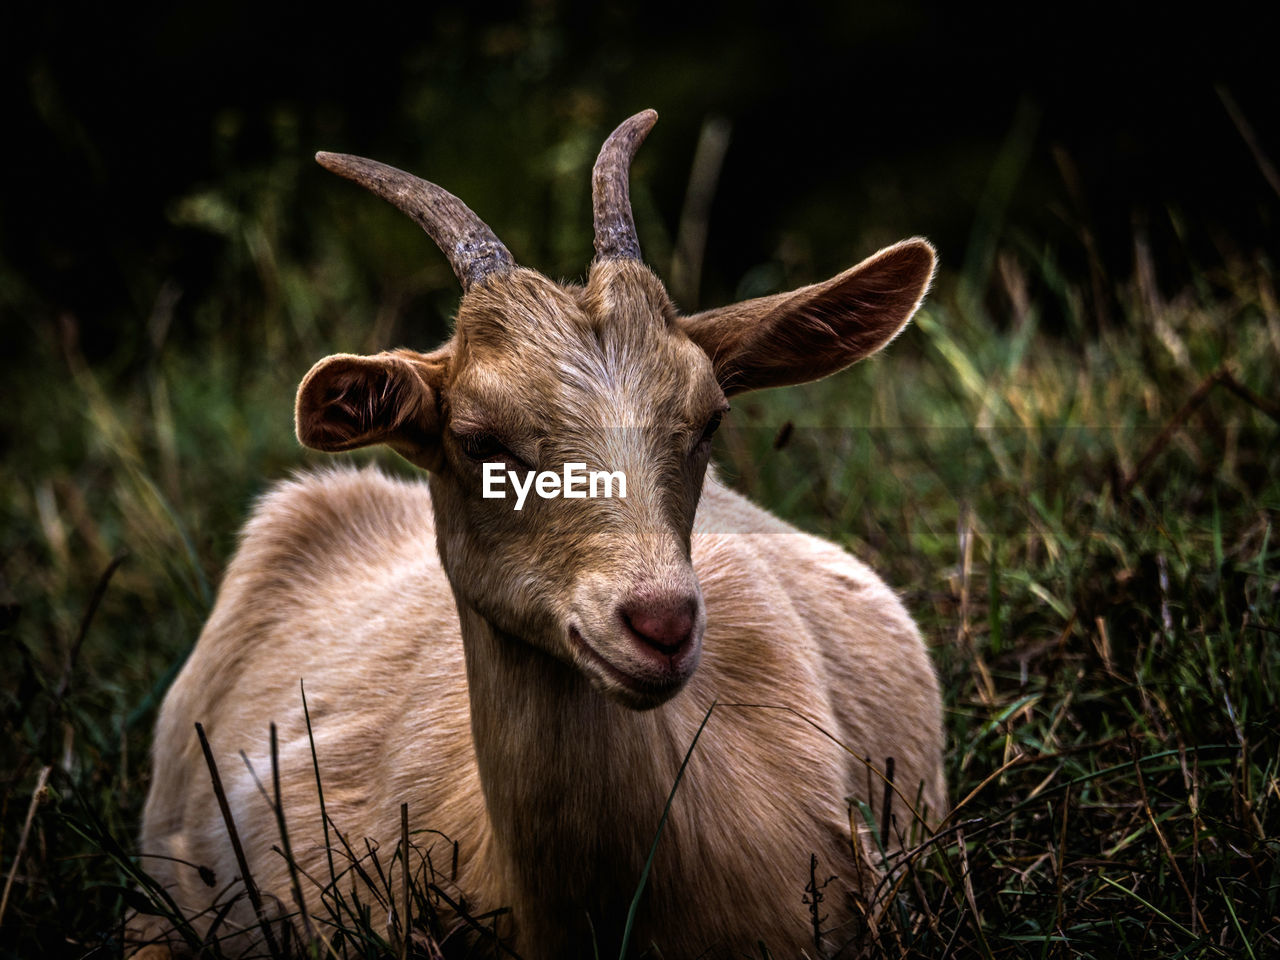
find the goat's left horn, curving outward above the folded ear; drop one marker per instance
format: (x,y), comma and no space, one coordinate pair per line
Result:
(472,248)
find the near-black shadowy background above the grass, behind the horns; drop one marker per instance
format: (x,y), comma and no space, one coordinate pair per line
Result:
(139,136)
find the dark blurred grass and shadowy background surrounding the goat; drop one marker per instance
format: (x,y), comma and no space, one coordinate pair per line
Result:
(1069,464)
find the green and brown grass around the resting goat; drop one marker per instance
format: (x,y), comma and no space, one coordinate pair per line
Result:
(1084,519)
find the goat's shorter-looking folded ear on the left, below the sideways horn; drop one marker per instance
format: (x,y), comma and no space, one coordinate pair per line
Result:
(348,403)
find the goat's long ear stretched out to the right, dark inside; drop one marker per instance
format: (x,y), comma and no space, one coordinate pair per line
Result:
(816,331)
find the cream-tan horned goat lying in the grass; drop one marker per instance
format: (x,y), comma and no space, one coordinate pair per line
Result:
(532,685)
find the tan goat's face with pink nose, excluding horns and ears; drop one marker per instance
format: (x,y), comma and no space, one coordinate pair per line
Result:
(542,376)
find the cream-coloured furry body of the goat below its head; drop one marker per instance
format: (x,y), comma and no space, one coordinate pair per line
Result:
(387,691)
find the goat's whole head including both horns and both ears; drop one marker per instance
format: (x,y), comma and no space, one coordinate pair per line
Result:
(607,376)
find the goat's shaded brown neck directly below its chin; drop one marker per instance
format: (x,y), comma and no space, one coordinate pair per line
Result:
(574,784)
